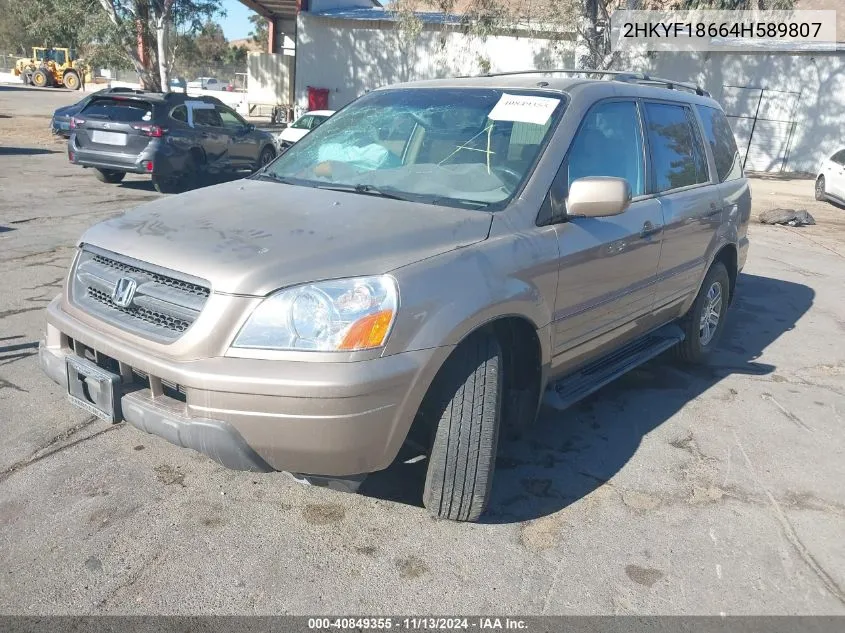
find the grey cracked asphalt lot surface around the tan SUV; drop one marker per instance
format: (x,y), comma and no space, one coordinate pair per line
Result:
(673,491)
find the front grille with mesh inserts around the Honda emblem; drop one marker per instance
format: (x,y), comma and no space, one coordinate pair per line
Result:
(164,303)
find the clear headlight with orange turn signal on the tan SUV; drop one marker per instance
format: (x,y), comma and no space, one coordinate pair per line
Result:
(344,314)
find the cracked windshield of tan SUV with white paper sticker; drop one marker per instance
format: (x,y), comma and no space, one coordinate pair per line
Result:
(467,147)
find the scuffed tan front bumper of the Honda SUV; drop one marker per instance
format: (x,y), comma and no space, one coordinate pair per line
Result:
(333,419)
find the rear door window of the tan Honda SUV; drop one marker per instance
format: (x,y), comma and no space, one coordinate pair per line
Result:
(675,149)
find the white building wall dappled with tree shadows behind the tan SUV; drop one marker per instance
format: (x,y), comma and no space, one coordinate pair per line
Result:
(350,57)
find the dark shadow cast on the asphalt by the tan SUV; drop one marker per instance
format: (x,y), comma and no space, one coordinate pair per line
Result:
(568,454)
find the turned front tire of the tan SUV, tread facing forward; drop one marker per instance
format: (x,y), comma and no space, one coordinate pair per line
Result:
(466,399)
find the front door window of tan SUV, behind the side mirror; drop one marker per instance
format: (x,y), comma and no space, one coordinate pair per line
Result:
(609,143)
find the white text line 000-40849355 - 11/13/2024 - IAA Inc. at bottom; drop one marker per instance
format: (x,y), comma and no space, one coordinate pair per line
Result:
(417,623)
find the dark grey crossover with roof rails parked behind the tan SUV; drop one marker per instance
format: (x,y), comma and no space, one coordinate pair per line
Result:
(171,136)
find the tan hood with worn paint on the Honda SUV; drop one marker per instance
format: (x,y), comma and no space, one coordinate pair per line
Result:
(252,237)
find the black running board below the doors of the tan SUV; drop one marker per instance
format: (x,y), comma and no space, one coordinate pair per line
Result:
(569,390)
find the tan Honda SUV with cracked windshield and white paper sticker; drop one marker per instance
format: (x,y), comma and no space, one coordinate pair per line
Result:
(431,264)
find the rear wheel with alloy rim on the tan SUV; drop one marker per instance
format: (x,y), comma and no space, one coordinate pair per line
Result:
(704,323)
